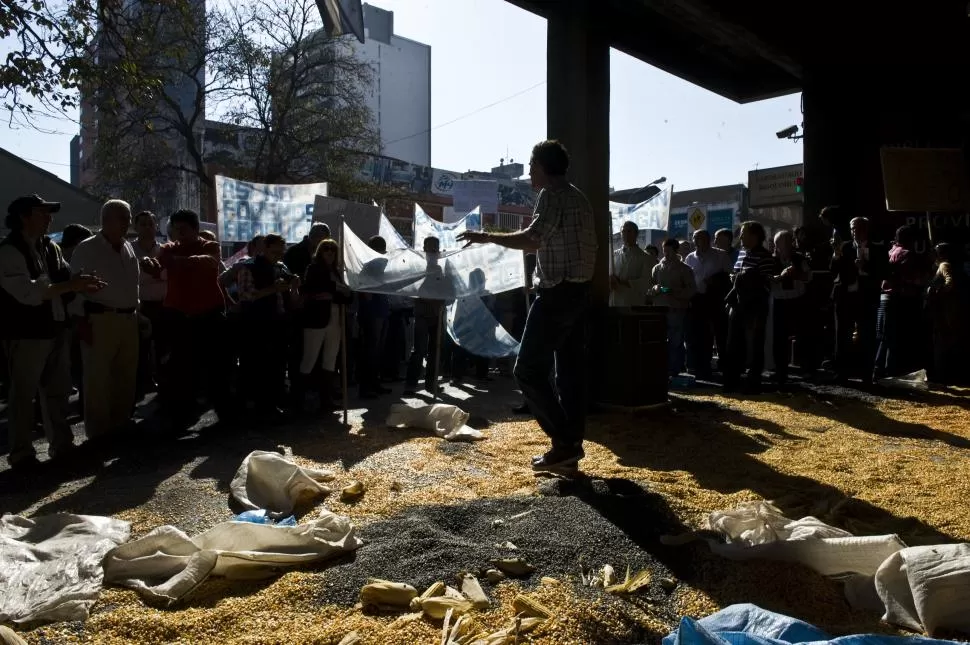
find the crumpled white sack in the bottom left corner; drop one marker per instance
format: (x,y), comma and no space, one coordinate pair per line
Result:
(50,566)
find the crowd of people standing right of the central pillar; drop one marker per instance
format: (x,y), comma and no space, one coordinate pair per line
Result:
(868,309)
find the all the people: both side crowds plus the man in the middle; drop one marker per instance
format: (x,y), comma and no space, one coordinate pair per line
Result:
(116,318)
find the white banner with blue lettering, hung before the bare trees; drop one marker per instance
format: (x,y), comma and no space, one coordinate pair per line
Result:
(245,209)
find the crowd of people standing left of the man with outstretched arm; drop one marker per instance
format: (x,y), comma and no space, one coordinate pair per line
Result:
(115,317)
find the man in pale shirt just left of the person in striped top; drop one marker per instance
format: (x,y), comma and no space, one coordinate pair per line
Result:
(707,320)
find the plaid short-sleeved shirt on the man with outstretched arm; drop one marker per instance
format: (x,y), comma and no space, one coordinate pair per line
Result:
(564,230)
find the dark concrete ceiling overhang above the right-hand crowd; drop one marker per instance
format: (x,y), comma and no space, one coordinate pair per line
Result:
(755,49)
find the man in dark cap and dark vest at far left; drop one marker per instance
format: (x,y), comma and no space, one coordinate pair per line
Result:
(35,284)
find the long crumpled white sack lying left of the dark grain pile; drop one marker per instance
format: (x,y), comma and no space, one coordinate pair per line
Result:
(167,564)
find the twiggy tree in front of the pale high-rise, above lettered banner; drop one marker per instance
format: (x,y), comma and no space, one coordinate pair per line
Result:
(299,94)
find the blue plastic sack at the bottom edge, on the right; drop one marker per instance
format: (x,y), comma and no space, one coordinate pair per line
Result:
(750,625)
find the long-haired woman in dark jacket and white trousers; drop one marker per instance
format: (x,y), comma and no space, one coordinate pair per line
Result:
(324,290)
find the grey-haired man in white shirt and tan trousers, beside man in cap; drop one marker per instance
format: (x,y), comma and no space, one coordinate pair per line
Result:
(108,322)
